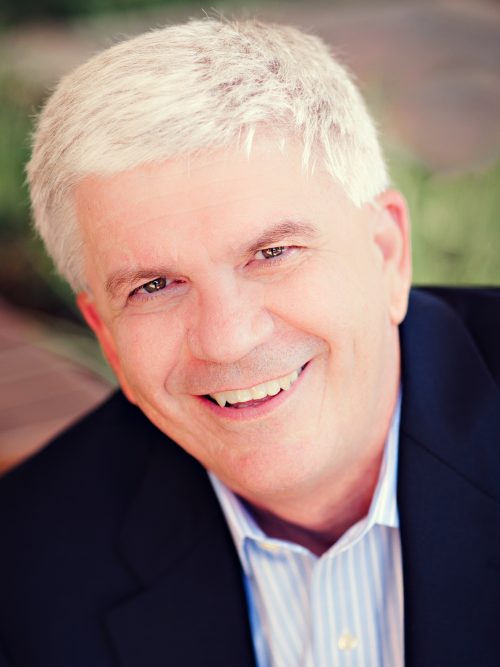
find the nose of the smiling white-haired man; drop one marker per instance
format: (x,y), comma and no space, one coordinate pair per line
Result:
(228,322)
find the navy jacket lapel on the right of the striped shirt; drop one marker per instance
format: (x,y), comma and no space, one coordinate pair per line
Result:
(448,492)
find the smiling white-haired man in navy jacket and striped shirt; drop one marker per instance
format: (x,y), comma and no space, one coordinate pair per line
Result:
(216,196)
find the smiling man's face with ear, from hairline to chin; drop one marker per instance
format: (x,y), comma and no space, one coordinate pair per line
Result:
(234,278)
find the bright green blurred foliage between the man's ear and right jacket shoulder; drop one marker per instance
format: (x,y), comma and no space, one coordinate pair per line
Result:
(456,223)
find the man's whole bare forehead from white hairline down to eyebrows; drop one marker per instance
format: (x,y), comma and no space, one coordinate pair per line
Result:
(210,204)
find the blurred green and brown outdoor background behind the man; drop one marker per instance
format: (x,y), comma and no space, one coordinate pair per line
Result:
(430,72)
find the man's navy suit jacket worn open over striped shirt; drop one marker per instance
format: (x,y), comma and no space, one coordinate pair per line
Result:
(114,550)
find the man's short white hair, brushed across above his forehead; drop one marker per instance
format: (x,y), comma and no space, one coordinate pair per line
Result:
(205,84)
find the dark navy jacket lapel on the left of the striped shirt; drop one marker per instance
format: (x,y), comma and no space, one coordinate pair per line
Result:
(190,607)
